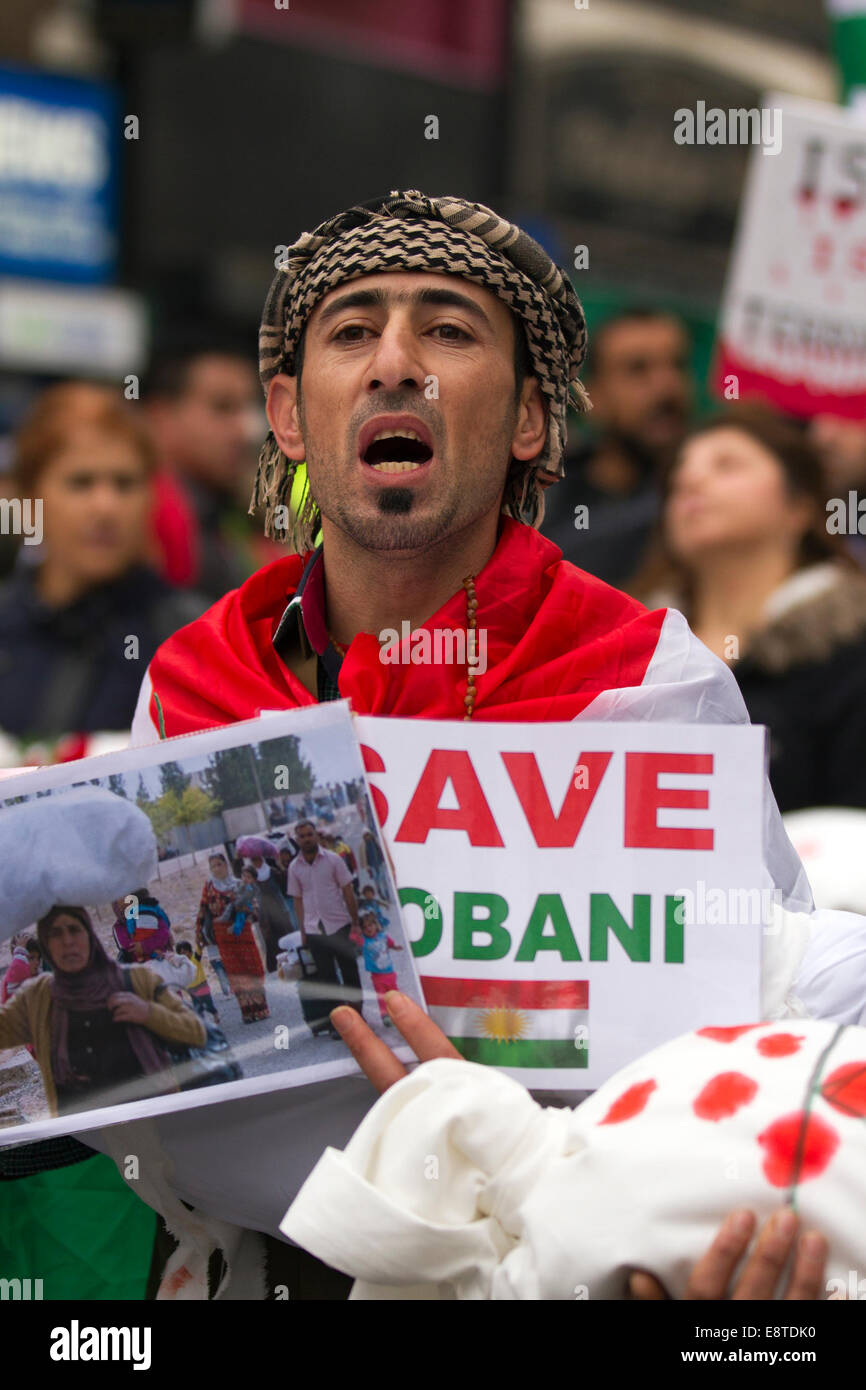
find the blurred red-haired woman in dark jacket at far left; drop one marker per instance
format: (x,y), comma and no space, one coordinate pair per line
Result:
(83,614)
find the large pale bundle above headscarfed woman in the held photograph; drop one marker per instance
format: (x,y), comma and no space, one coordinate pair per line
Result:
(80,847)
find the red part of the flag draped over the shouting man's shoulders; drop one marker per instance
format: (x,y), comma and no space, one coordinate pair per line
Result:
(555,639)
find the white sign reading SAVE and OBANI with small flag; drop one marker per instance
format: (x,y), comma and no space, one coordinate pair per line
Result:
(576,893)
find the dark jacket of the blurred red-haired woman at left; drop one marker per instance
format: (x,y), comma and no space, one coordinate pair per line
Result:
(74,669)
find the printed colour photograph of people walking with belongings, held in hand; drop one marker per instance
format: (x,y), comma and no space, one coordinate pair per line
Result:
(174,974)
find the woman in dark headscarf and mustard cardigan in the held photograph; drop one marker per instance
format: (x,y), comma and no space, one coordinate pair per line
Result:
(98,1039)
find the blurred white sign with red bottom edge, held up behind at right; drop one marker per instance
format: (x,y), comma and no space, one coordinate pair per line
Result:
(794,313)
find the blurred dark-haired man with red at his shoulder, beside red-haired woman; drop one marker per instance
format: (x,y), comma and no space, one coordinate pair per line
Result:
(204,407)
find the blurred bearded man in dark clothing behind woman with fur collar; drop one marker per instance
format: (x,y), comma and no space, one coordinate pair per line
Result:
(603,512)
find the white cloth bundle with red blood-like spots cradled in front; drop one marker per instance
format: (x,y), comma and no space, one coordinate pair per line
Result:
(458,1185)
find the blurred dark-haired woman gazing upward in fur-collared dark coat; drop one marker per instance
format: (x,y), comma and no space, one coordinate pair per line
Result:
(747,557)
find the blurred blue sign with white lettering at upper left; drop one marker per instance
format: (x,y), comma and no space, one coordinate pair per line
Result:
(59,158)
